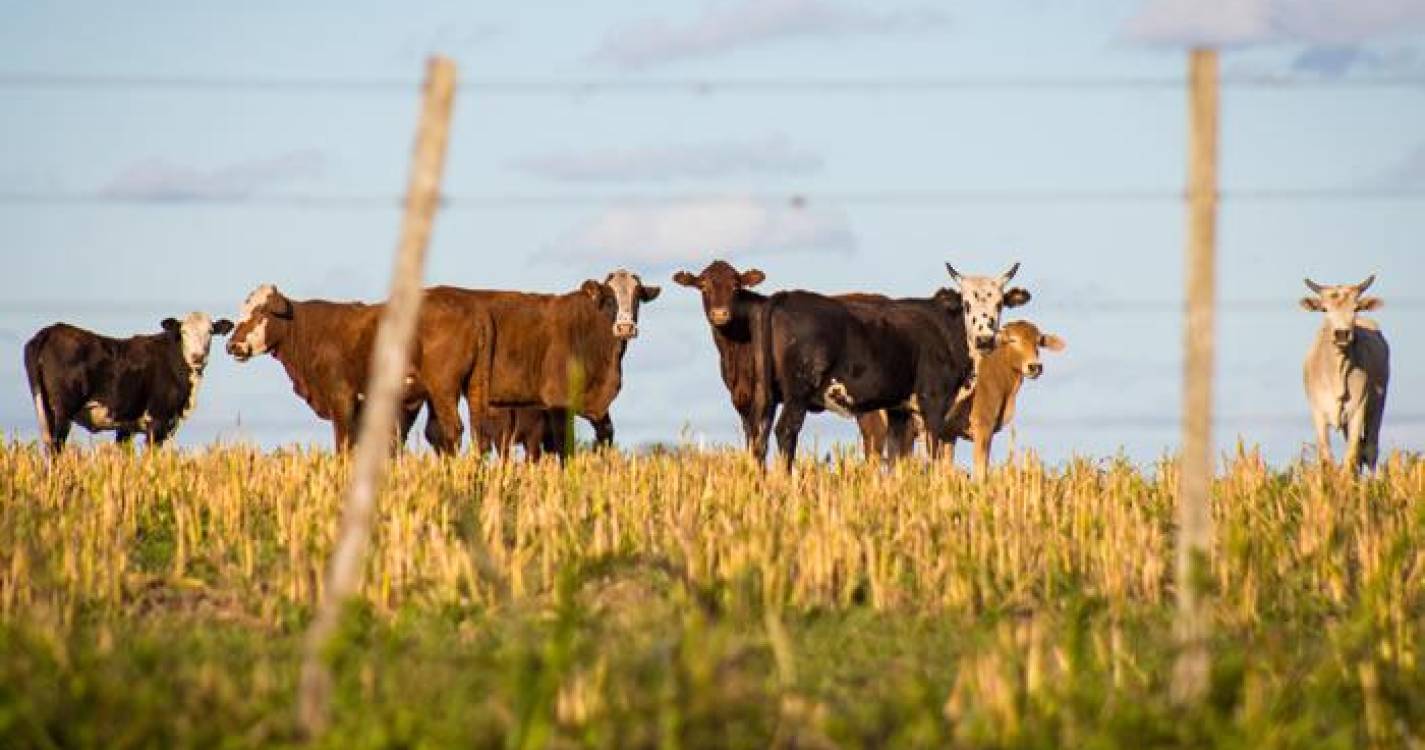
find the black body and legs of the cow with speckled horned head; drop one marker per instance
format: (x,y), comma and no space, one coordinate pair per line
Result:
(860,356)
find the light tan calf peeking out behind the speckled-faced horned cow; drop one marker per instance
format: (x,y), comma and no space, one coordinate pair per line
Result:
(991,406)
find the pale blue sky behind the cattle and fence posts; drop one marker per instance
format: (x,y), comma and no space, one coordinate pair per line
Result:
(185,185)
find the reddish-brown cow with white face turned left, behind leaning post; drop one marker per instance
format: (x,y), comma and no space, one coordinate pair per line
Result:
(326,350)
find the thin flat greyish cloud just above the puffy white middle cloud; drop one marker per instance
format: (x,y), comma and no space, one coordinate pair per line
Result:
(774,155)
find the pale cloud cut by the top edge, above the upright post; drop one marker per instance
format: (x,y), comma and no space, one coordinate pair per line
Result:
(1233,24)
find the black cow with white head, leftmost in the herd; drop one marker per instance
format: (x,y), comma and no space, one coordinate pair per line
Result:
(142,384)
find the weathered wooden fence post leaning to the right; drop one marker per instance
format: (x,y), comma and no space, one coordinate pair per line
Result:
(390,360)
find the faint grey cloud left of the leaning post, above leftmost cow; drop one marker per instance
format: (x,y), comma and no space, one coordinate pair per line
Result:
(160,180)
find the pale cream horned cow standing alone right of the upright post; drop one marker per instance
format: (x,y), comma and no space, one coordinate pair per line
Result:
(1347,371)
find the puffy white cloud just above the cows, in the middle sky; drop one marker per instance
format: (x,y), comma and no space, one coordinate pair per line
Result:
(695,230)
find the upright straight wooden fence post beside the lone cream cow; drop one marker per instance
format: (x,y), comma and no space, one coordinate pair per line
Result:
(1195,515)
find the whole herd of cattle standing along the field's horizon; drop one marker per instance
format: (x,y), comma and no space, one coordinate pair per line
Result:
(936,369)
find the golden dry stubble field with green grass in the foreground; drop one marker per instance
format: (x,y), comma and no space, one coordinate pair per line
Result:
(688,601)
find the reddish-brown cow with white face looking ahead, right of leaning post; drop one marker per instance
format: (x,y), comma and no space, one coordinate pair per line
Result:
(552,351)
